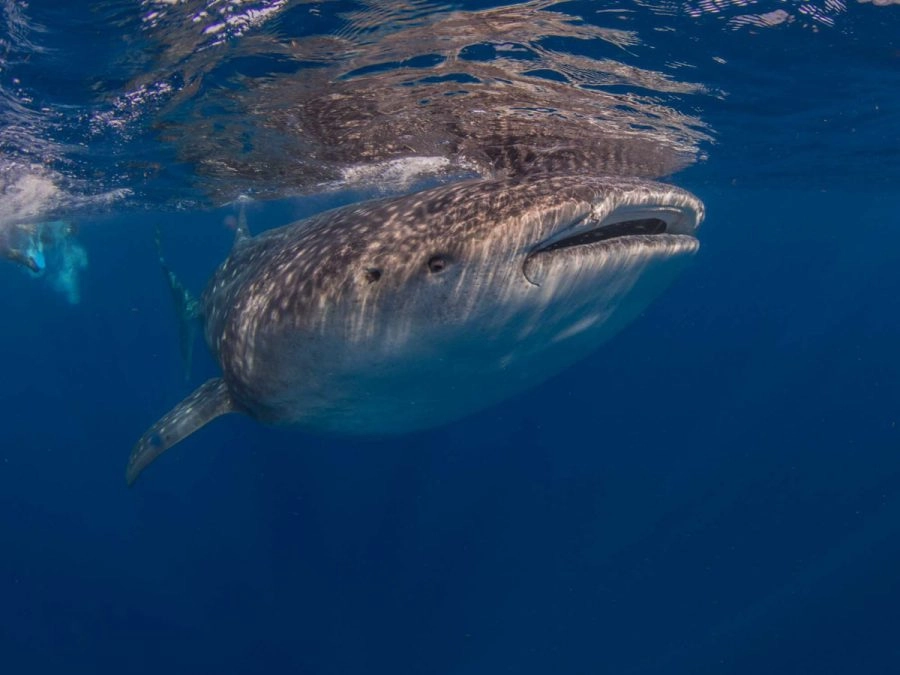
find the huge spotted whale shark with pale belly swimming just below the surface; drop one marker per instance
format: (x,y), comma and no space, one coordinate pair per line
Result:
(409,312)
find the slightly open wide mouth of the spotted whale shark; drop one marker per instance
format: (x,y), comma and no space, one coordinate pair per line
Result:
(644,221)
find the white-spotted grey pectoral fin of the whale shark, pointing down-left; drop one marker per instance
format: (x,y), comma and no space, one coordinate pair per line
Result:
(207,402)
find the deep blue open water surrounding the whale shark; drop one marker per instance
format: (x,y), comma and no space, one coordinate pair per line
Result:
(716,490)
